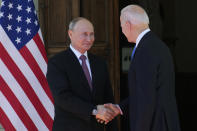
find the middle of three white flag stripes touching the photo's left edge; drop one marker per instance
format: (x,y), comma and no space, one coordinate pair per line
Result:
(21,96)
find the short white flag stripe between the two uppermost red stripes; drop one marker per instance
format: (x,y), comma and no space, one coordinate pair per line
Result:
(37,56)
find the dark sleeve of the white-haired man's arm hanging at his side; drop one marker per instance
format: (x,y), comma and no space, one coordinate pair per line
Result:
(144,97)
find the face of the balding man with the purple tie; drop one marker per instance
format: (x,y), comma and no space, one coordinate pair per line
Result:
(82,36)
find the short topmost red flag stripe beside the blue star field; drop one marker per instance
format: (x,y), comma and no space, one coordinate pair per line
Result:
(40,46)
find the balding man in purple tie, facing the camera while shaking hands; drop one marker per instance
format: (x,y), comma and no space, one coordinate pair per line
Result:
(80,84)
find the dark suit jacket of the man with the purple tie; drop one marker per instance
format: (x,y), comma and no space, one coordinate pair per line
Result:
(74,101)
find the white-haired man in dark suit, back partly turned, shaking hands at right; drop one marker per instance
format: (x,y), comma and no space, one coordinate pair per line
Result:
(151,105)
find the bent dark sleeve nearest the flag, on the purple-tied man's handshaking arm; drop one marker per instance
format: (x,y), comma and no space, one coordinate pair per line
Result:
(63,96)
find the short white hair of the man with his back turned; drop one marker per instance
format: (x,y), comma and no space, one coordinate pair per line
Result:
(134,13)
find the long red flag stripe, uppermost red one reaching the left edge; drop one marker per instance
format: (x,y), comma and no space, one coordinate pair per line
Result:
(26,86)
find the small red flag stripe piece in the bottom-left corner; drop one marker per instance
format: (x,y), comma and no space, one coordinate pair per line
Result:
(5,121)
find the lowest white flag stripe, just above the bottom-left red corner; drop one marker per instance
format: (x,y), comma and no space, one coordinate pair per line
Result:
(11,114)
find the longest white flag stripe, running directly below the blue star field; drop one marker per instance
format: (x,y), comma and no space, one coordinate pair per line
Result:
(27,72)
